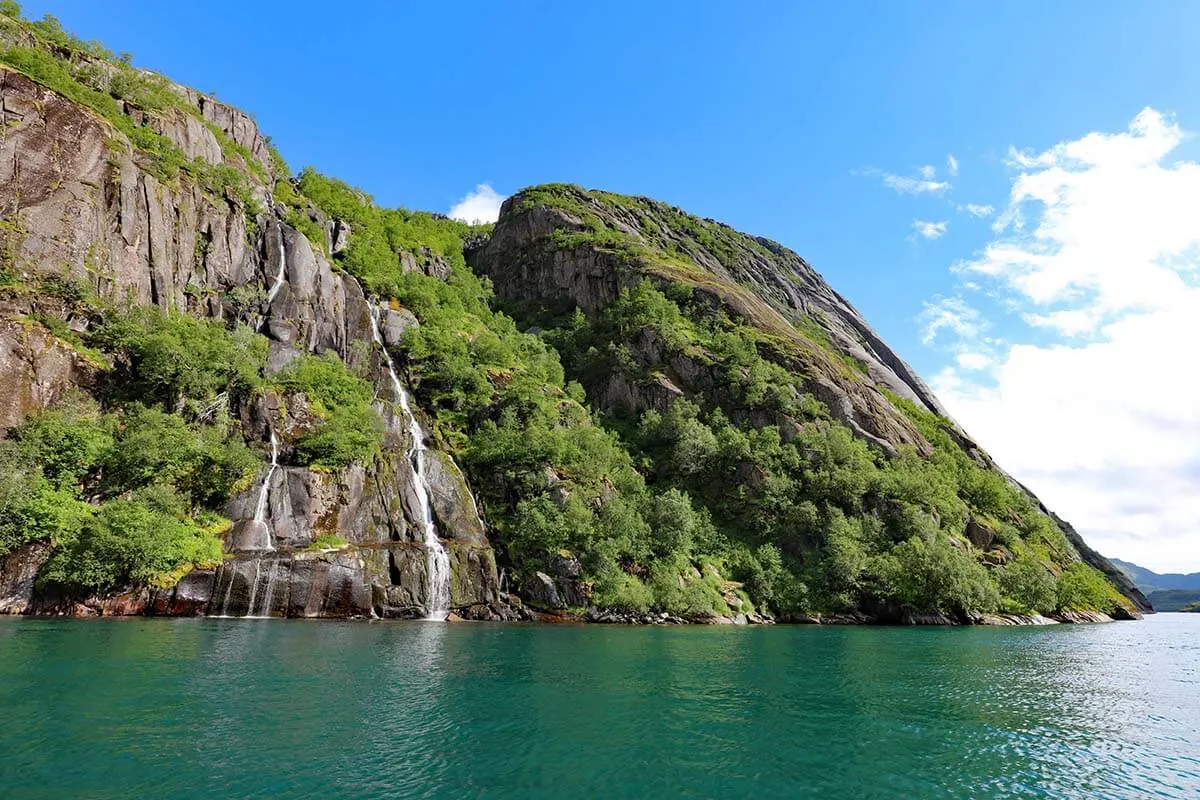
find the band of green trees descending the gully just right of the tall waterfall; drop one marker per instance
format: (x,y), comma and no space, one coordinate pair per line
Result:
(550,478)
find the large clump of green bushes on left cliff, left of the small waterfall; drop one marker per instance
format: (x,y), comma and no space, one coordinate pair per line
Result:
(128,489)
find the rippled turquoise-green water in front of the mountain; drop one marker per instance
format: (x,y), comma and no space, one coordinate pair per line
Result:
(145,708)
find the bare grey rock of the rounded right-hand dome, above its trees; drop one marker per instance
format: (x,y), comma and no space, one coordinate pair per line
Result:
(561,244)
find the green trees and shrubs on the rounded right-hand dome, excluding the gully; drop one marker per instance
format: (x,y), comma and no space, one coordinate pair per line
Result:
(853,527)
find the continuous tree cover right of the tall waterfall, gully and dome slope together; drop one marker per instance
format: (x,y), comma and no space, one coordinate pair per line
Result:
(802,514)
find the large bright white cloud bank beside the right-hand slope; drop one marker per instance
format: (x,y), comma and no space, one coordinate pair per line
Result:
(1100,251)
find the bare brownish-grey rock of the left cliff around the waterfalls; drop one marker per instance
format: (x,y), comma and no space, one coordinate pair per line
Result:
(86,210)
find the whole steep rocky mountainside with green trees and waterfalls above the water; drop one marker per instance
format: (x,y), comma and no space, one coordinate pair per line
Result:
(230,389)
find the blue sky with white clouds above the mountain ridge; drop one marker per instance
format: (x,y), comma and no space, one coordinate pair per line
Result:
(787,121)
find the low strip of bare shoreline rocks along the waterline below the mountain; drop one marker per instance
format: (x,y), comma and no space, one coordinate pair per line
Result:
(315,585)
